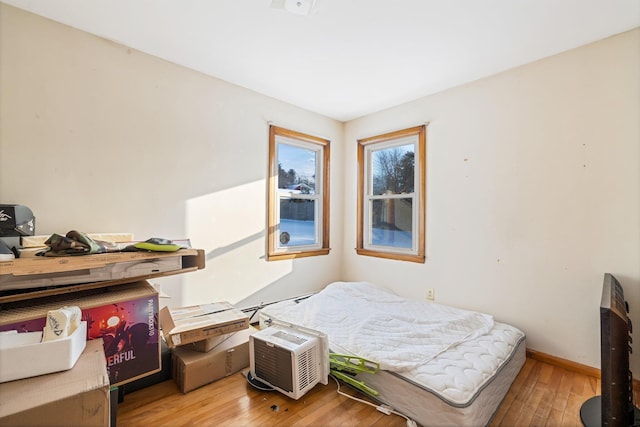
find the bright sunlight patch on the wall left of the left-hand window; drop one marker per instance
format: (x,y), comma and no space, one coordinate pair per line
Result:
(229,225)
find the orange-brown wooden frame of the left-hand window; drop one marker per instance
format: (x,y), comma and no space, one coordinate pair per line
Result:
(273,252)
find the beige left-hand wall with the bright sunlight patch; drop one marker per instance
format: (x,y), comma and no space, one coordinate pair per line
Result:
(98,137)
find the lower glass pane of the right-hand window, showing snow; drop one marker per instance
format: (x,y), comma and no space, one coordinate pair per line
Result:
(391,222)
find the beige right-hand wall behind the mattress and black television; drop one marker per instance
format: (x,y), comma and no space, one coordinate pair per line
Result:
(533,192)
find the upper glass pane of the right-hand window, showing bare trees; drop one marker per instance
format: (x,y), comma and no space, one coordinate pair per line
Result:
(393,170)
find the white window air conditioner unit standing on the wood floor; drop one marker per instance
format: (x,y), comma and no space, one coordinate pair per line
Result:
(289,358)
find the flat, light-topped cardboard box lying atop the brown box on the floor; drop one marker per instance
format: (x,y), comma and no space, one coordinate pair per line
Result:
(186,325)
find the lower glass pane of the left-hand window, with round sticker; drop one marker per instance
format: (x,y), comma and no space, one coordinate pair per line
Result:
(297,222)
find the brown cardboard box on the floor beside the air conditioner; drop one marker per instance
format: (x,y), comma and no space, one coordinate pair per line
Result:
(193,369)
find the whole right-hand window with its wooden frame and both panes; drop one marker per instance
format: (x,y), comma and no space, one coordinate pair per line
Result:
(391,195)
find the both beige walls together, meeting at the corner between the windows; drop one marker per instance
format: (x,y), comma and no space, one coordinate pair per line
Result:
(533,176)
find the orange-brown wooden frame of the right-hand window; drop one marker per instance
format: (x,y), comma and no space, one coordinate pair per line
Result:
(417,254)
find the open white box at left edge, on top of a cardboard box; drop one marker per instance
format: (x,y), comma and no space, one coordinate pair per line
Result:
(43,357)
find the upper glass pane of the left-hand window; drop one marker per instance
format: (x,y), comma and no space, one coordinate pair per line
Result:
(296,169)
